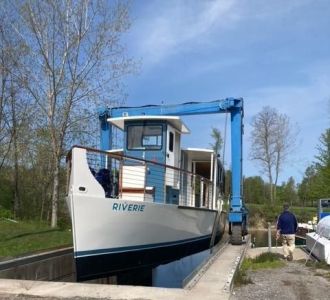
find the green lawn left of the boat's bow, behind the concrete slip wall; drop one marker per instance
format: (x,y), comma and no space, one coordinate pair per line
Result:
(21,238)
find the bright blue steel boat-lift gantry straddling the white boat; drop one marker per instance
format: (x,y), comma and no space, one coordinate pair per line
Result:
(237,216)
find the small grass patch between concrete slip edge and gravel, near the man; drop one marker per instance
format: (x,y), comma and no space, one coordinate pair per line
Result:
(263,261)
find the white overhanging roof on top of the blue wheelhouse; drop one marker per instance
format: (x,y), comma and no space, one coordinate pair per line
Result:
(175,121)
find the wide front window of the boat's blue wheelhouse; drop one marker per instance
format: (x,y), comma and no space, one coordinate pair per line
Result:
(141,137)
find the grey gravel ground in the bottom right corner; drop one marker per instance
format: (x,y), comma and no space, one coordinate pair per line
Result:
(293,281)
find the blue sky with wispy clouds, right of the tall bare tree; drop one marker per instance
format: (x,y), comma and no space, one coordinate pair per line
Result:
(271,53)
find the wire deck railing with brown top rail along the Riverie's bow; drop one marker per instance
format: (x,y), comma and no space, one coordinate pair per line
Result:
(131,178)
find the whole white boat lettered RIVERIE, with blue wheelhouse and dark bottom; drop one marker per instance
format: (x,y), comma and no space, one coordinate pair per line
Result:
(146,204)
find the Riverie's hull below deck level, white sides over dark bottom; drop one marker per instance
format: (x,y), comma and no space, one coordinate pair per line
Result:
(116,235)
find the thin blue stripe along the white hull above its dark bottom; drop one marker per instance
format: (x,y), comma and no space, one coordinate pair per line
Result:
(138,248)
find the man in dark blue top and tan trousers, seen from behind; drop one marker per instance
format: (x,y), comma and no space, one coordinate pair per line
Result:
(287,227)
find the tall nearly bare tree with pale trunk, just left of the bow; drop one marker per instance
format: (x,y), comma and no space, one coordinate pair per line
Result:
(75,63)
